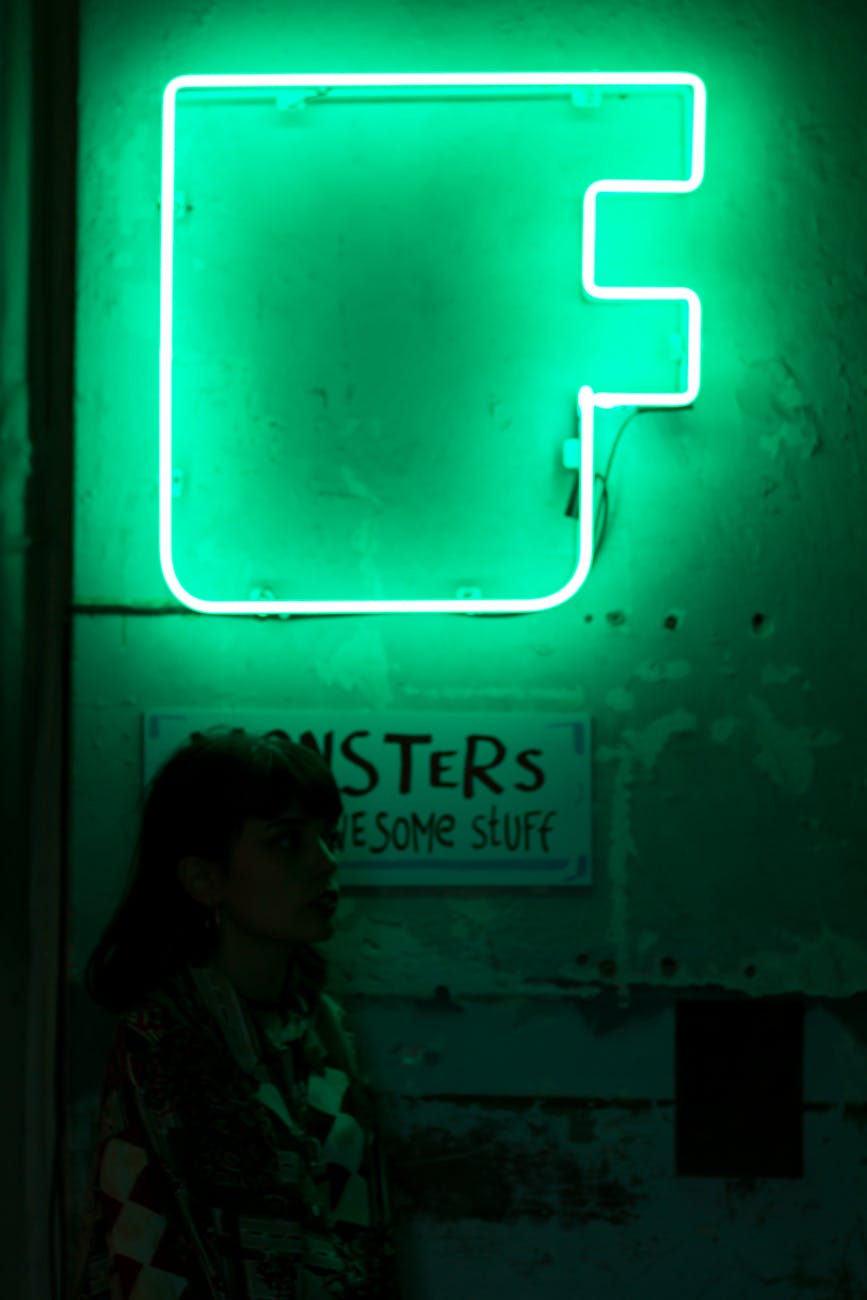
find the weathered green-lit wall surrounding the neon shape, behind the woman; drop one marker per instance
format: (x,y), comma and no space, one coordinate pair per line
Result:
(527,1045)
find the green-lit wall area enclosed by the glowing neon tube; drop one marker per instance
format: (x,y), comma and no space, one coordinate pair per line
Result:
(401,362)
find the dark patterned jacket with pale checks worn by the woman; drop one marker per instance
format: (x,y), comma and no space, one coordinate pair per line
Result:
(239,1156)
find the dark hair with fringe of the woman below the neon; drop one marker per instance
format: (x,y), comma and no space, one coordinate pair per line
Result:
(197,805)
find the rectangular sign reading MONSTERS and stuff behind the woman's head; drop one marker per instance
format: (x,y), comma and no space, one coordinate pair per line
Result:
(436,799)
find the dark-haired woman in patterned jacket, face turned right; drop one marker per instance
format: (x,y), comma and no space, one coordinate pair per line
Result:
(239,1154)
